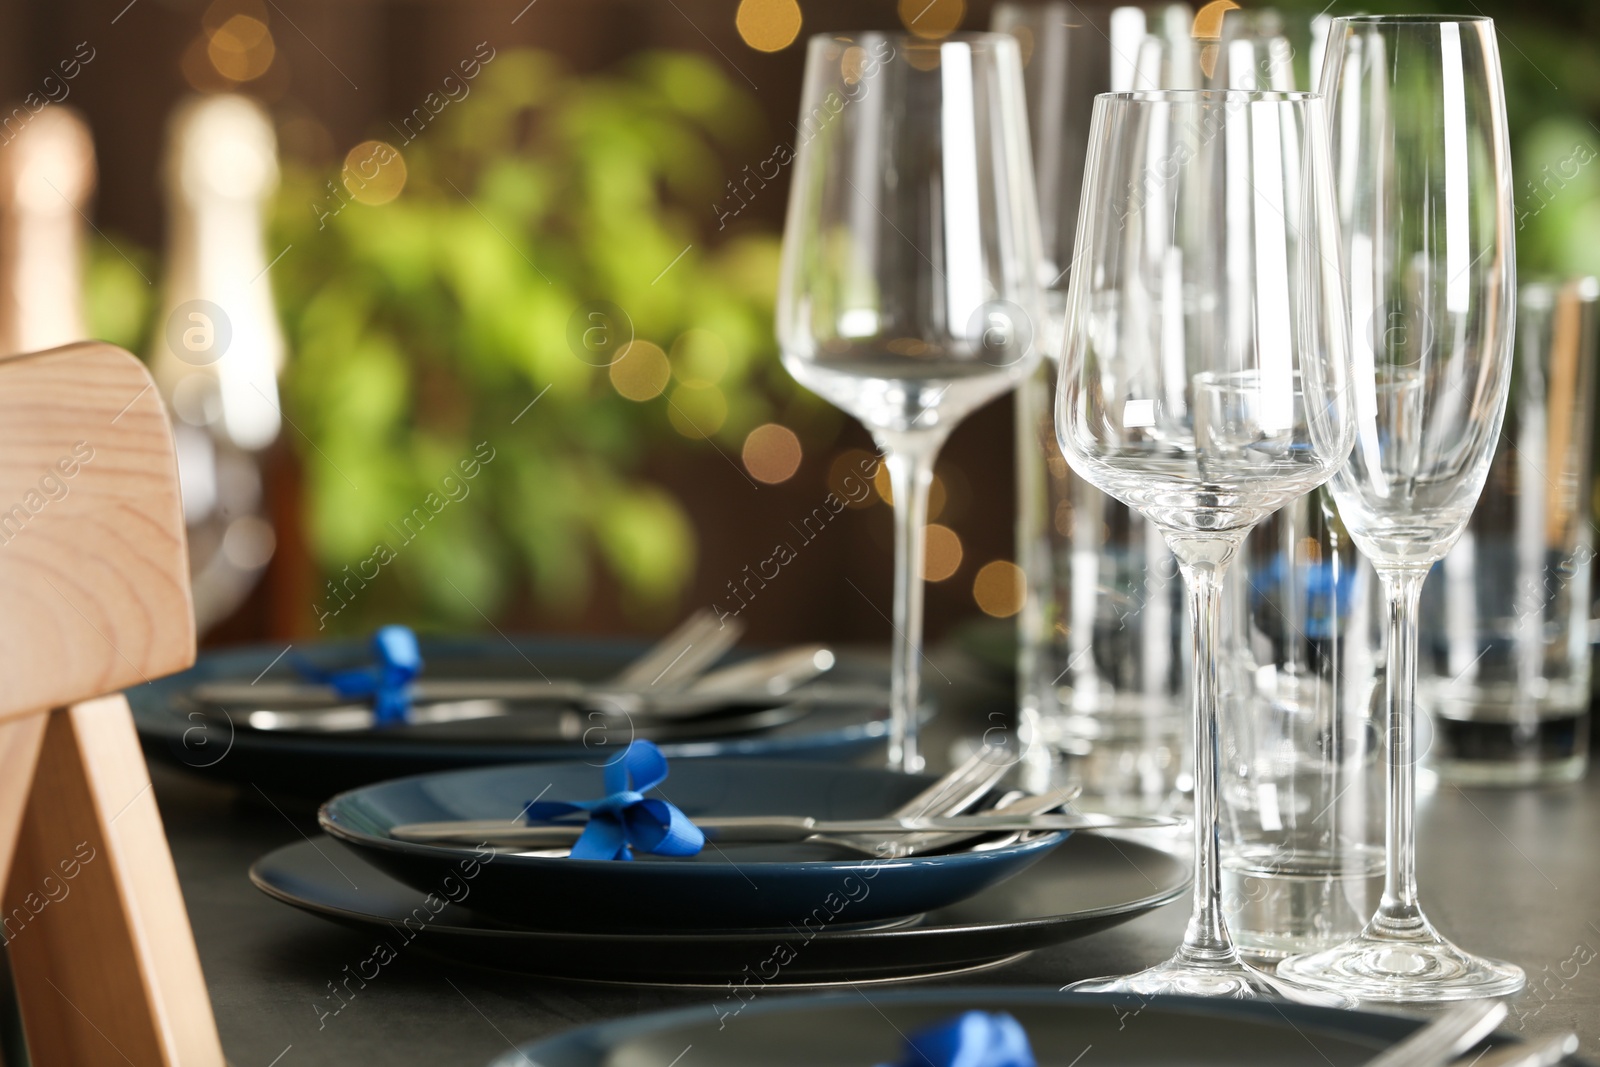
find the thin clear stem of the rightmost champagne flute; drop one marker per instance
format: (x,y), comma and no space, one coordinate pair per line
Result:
(1399,913)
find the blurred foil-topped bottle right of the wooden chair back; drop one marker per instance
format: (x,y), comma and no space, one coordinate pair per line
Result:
(218,350)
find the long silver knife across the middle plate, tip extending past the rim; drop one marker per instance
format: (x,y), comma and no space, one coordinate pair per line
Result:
(774,829)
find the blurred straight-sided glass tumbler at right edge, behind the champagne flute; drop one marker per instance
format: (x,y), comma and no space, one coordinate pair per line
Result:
(1506,615)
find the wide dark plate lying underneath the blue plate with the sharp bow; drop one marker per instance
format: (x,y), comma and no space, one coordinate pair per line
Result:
(1084,887)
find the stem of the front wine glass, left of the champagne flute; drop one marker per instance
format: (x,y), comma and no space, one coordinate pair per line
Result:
(1204,565)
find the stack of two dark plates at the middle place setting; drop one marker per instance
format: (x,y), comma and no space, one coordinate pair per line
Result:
(790,913)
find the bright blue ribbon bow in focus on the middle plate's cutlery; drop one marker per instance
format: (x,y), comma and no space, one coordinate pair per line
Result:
(625,820)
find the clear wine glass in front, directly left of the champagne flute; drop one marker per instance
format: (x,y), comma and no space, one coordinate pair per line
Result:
(1204,380)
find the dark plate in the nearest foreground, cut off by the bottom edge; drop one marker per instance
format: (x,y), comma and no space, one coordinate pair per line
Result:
(862,1029)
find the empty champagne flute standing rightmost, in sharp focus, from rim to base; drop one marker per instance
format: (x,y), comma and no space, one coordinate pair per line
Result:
(1426,207)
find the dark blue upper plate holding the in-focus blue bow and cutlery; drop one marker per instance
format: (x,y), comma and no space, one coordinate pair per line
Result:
(724,889)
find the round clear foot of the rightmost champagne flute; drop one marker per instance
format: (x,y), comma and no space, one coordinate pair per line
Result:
(1418,967)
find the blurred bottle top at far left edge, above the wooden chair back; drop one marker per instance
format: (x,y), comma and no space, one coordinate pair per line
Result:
(47,177)
